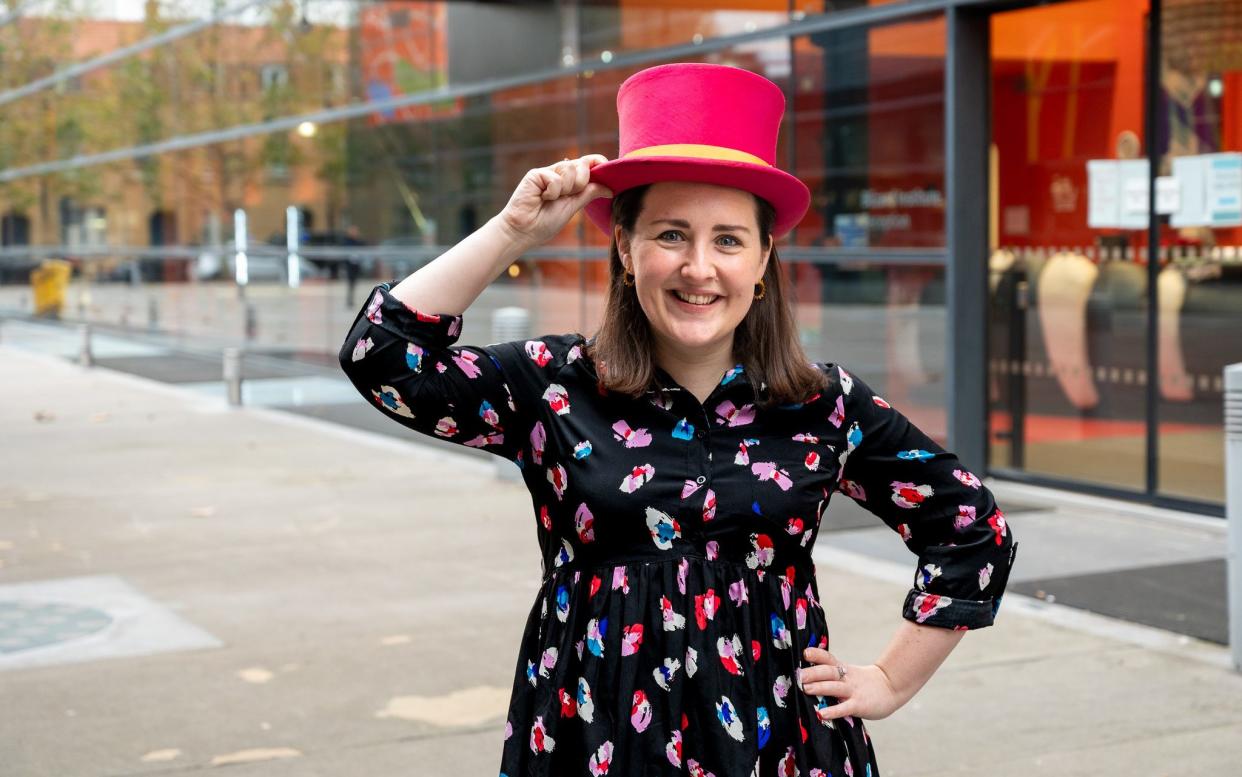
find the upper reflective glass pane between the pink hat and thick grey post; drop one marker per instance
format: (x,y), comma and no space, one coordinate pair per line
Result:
(869,110)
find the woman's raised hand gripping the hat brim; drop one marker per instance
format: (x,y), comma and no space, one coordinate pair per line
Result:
(548,198)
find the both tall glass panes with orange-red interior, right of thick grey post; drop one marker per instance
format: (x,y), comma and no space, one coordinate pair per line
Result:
(1085,357)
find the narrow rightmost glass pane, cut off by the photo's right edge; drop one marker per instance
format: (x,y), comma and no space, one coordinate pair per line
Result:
(1199,318)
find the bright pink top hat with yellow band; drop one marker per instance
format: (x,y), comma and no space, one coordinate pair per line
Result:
(702,124)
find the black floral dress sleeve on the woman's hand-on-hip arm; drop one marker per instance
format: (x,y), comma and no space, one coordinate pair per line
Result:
(942,511)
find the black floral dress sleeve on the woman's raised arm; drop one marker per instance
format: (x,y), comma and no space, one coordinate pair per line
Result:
(406,362)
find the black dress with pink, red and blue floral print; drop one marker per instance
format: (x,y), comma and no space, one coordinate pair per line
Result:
(679,589)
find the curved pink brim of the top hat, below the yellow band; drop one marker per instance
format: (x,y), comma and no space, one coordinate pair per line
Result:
(787,194)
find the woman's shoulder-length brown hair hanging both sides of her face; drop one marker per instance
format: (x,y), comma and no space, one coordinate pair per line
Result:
(767,338)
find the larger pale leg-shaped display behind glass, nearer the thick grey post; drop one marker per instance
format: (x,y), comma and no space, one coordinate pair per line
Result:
(1065,286)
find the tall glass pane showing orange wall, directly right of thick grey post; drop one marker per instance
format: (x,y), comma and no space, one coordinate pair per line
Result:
(1069,317)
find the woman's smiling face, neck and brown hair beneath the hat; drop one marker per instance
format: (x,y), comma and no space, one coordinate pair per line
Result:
(686,290)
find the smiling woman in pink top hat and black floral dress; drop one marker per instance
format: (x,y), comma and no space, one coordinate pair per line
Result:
(680,462)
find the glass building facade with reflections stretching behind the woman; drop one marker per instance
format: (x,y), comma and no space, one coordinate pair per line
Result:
(1022,227)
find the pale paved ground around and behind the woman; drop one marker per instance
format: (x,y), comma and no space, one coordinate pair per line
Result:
(258,590)
